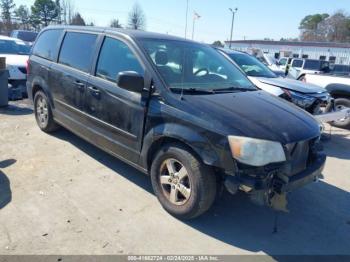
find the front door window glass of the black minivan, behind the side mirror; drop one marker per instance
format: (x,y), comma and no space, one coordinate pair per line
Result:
(116,57)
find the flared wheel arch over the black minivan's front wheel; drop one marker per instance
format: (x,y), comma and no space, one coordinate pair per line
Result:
(172,132)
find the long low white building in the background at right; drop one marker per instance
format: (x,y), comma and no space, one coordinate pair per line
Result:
(338,53)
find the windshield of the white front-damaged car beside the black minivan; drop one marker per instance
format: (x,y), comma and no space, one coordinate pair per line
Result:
(252,66)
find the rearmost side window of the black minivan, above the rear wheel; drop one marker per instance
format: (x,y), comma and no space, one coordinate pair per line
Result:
(46,46)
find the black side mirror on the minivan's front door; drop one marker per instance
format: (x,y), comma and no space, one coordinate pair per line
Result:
(131,81)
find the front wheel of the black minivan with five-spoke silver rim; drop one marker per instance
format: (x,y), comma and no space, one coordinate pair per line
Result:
(199,186)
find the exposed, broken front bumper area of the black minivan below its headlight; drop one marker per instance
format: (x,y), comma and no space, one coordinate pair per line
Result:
(270,185)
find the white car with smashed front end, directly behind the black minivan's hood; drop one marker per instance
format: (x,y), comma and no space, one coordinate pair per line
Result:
(312,98)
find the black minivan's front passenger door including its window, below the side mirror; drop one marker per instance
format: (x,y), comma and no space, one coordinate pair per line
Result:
(116,114)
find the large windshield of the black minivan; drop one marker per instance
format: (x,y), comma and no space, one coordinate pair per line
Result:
(187,65)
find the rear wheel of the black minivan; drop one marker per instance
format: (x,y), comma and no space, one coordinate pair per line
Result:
(43,113)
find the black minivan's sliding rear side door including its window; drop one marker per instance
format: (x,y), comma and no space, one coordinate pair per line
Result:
(70,75)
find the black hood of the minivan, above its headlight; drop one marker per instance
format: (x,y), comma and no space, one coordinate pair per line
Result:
(255,114)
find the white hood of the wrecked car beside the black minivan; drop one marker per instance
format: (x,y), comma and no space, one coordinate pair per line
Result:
(293,85)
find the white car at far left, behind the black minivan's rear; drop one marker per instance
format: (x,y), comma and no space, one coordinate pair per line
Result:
(16,53)
